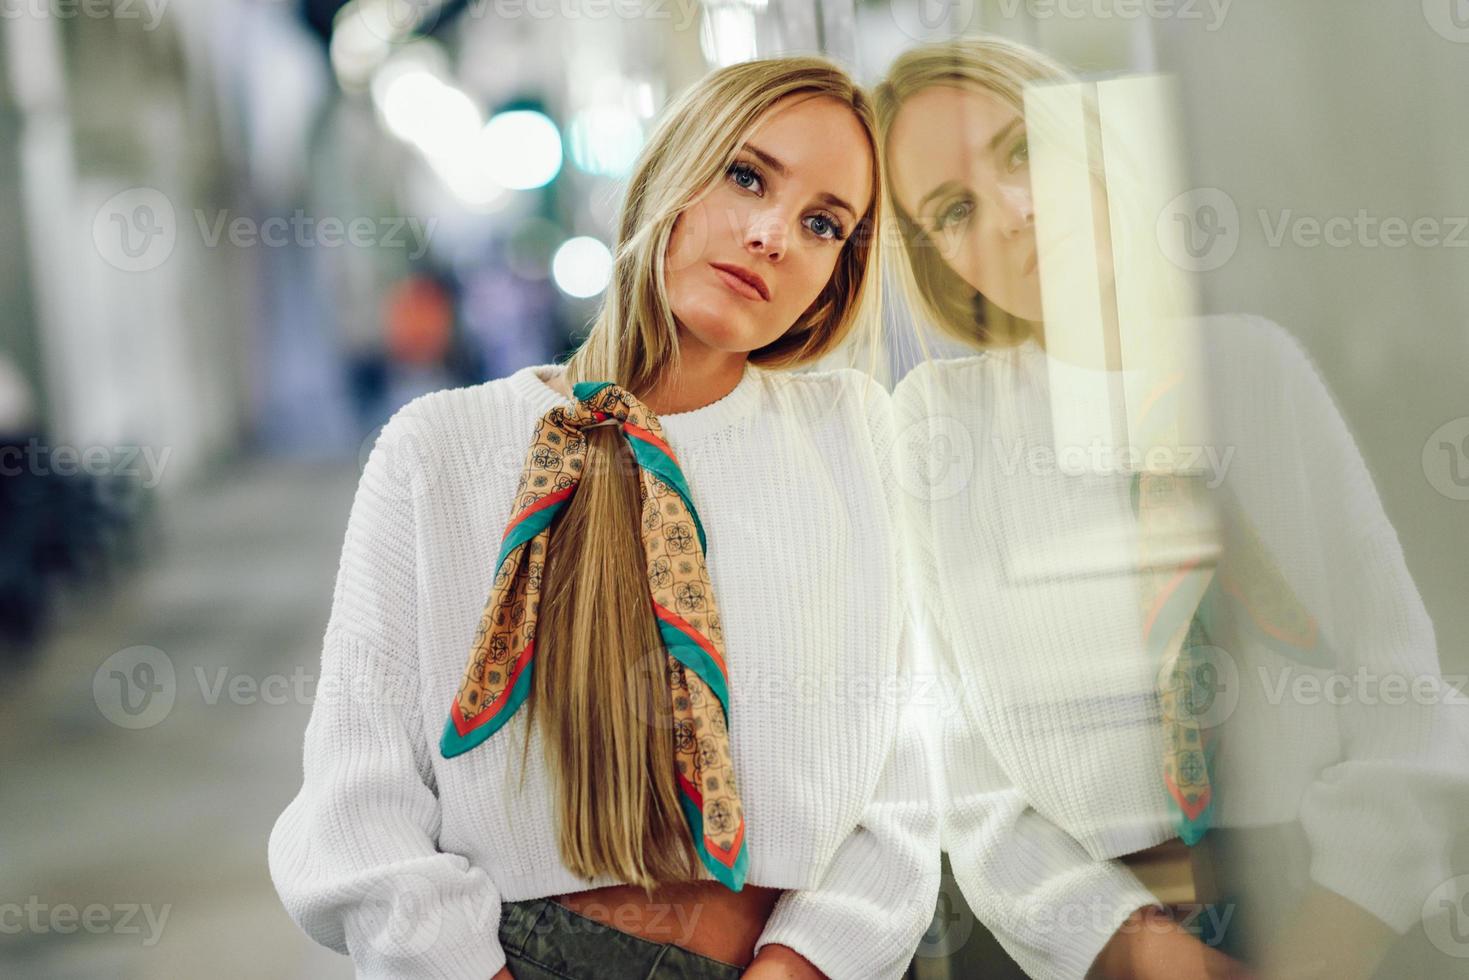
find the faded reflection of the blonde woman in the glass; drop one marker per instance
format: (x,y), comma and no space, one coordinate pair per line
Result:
(1054,759)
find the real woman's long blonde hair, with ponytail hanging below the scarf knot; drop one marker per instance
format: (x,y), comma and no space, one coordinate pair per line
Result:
(602,685)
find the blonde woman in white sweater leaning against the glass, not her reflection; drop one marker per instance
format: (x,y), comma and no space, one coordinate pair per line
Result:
(679,800)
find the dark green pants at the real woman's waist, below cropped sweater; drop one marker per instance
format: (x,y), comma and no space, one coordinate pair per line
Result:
(547,941)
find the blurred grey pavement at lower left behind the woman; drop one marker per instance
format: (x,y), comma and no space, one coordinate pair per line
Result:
(107,826)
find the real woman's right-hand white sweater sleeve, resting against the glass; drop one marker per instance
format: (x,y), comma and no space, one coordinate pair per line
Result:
(878,897)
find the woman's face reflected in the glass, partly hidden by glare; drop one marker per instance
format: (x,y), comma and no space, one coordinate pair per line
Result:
(960,167)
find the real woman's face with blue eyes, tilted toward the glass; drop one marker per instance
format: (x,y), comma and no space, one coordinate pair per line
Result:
(781,217)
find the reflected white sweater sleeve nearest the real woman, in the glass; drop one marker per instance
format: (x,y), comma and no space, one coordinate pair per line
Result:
(1050,904)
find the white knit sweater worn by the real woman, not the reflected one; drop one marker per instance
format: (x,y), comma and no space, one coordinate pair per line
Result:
(402,859)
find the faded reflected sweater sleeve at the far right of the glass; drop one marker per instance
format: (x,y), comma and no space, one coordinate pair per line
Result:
(1382,818)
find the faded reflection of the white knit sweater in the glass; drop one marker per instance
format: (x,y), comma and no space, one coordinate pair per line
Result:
(1053,760)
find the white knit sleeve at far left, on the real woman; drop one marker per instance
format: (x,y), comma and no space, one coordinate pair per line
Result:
(355,854)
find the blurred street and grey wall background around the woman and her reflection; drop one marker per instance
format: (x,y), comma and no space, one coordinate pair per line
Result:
(239,234)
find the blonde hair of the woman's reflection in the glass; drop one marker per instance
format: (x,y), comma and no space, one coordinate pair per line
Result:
(1003,68)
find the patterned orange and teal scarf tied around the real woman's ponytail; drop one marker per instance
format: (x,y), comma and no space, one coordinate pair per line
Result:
(502,659)
